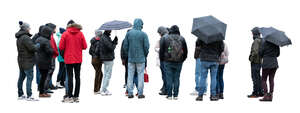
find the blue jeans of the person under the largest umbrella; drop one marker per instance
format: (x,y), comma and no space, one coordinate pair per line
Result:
(204,67)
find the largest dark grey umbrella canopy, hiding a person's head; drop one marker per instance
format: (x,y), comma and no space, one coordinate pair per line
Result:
(209,29)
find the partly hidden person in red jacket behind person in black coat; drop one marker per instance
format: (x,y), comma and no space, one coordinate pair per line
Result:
(55,54)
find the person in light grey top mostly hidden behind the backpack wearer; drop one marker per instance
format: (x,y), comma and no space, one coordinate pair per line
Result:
(163,32)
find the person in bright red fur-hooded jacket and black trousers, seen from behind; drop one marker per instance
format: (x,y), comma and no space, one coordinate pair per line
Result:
(71,45)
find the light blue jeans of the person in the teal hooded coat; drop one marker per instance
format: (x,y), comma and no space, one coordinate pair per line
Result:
(132,68)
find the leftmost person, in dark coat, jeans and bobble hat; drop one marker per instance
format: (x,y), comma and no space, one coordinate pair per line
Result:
(26,49)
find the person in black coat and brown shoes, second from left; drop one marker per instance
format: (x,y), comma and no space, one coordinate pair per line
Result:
(44,58)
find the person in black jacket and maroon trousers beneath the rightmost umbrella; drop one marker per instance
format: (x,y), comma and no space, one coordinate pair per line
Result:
(269,53)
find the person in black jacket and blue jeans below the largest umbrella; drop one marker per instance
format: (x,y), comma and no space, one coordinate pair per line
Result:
(209,55)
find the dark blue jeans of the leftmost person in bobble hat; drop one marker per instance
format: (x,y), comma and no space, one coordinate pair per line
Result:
(23,74)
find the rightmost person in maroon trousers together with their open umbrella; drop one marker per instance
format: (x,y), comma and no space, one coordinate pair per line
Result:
(269,52)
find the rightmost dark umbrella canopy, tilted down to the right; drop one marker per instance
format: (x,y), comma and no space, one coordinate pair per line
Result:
(275,36)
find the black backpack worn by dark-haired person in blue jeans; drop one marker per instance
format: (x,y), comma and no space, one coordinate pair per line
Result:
(175,49)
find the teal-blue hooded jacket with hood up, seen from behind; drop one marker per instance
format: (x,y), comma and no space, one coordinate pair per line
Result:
(136,43)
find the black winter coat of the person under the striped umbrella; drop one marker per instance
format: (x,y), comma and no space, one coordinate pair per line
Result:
(106,48)
